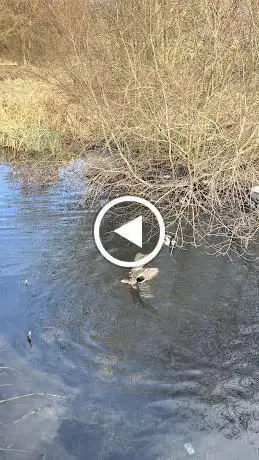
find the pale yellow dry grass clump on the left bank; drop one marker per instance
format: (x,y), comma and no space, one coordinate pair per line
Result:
(32,118)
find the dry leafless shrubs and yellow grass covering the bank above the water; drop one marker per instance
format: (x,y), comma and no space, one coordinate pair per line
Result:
(167,90)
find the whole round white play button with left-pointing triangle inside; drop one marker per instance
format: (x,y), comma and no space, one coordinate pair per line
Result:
(131,232)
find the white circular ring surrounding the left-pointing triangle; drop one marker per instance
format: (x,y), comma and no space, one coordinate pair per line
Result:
(146,259)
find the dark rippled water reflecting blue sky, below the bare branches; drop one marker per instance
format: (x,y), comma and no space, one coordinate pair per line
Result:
(108,377)
